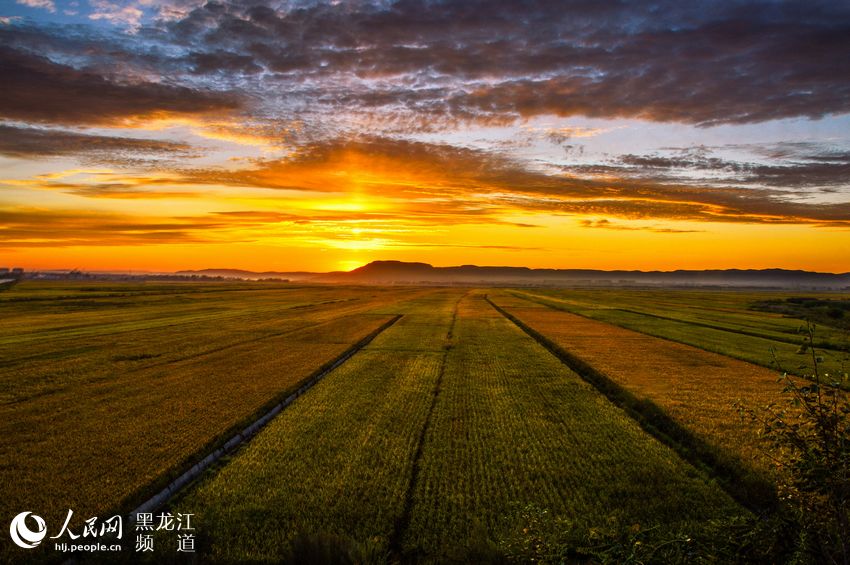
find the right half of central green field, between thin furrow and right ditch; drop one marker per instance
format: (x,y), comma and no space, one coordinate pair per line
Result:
(513,426)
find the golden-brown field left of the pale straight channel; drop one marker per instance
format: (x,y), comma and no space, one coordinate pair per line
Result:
(108,390)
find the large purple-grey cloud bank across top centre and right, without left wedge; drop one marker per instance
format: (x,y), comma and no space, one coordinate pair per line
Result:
(704,62)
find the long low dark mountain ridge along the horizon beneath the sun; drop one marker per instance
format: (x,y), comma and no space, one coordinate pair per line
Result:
(400,272)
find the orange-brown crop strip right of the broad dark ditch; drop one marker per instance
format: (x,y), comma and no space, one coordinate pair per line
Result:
(694,389)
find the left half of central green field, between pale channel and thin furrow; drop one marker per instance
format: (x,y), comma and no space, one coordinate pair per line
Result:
(339,460)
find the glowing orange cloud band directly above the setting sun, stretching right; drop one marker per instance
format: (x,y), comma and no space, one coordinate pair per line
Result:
(433,178)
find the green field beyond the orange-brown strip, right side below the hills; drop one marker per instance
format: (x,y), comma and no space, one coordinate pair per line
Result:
(721,321)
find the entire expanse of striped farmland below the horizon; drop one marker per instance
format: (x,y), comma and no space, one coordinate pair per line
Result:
(459,433)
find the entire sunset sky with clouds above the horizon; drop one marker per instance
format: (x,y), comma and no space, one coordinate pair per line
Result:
(159,135)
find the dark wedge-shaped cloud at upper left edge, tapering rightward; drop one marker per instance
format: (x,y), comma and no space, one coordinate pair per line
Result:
(37,89)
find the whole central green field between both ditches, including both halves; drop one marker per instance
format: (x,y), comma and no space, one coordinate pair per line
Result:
(439,422)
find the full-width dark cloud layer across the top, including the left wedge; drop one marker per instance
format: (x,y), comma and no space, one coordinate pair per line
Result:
(705,63)
